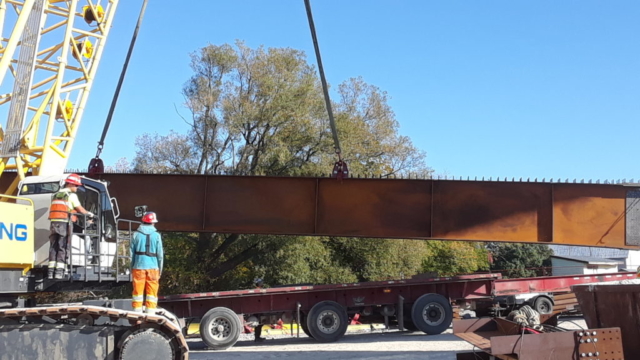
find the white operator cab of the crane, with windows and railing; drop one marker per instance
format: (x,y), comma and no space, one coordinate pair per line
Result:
(92,252)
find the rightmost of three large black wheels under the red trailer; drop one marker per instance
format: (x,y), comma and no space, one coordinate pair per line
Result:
(432,314)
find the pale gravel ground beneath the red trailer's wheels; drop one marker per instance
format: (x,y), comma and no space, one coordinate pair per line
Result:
(368,344)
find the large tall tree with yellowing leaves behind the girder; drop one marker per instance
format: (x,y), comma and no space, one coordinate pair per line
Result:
(261,112)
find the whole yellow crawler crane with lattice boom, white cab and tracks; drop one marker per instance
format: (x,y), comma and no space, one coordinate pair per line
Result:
(49,55)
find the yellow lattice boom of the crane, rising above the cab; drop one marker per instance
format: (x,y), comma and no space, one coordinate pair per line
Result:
(51,49)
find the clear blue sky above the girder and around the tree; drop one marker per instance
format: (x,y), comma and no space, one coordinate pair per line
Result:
(540,89)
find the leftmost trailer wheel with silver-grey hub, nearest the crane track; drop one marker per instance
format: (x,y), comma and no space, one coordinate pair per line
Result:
(220,328)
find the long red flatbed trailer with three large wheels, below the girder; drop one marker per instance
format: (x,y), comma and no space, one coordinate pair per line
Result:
(324,311)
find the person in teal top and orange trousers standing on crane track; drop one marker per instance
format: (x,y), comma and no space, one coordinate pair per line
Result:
(146,263)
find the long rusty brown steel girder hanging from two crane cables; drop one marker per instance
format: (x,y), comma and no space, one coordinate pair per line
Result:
(561,213)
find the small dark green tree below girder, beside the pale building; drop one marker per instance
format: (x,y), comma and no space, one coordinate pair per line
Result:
(520,260)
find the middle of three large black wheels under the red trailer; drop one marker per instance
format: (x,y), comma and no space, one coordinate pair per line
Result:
(327,321)
